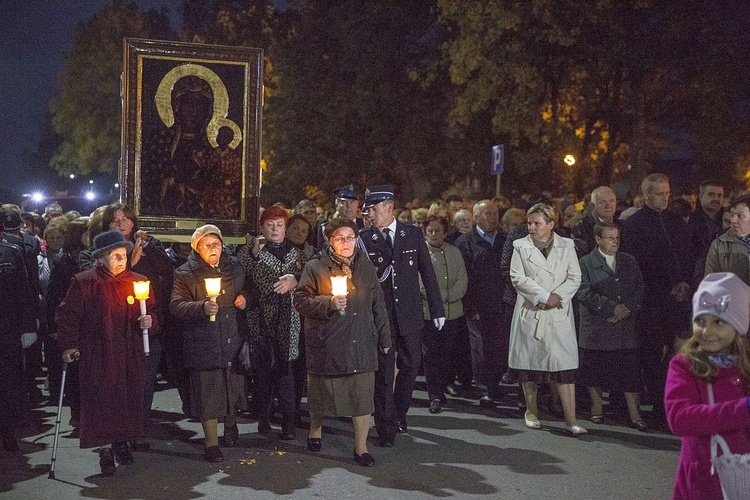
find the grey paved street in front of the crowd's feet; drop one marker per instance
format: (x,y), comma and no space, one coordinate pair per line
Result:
(465,452)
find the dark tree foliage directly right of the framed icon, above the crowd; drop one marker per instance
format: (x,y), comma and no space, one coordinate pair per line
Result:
(350,104)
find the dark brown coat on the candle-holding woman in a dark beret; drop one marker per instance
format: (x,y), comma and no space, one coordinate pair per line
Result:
(338,344)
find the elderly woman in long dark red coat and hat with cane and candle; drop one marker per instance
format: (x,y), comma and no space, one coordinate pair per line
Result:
(99,320)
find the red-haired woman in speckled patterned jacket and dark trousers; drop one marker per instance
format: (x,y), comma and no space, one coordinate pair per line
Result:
(273,269)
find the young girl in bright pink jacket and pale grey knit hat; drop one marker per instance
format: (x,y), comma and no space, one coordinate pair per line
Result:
(717,353)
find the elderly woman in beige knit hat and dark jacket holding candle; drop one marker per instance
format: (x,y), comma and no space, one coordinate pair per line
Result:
(217,387)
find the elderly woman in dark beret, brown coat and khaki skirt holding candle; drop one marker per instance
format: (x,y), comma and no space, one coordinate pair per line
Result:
(343,332)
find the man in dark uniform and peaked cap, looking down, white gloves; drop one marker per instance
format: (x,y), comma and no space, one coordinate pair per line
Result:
(400,256)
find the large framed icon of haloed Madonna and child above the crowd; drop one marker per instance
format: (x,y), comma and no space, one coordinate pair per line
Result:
(191,136)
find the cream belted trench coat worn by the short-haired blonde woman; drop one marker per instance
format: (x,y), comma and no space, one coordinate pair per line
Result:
(544,340)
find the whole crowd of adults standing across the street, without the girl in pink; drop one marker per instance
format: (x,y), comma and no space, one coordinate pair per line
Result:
(547,293)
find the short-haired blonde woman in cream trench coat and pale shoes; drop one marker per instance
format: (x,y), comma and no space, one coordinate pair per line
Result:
(544,271)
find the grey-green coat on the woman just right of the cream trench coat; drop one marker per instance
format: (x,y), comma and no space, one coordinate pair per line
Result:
(601,290)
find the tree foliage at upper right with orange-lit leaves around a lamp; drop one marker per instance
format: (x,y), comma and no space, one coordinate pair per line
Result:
(616,83)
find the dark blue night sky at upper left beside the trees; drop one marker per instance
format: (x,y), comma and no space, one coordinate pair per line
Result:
(36,35)
